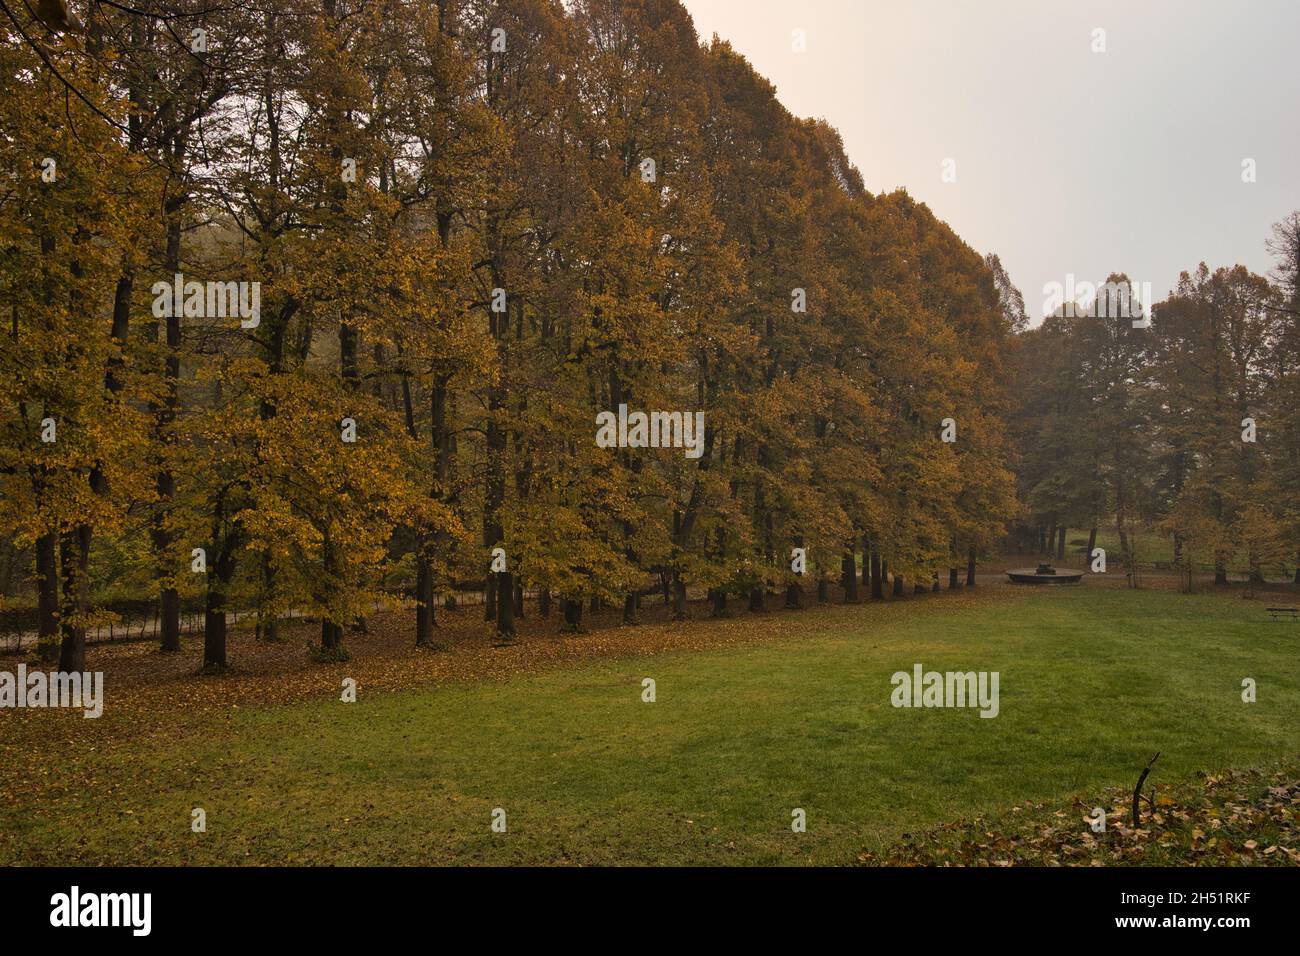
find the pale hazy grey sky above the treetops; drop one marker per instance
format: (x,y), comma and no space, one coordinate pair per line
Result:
(1067,161)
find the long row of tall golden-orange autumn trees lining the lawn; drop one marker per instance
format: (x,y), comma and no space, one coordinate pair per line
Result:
(474,227)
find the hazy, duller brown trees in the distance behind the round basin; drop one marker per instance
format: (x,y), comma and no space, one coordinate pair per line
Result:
(1189,426)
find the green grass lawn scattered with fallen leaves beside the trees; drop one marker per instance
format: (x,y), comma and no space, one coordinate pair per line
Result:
(1093,684)
